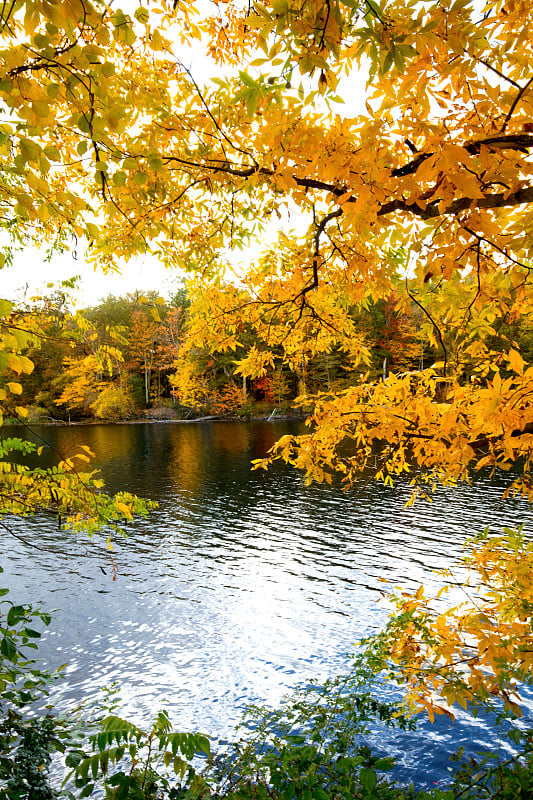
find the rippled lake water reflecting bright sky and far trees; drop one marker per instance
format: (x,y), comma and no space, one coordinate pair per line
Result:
(241,583)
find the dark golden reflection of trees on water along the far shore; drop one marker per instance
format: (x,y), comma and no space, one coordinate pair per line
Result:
(202,459)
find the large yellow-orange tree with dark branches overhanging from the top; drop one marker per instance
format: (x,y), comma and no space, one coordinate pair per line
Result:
(108,135)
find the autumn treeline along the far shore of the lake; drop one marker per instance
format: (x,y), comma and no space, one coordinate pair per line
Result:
(131,357)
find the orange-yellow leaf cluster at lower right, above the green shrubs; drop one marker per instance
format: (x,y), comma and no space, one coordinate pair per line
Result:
(474,651)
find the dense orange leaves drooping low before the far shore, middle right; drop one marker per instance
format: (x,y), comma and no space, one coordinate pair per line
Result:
(404,418)
